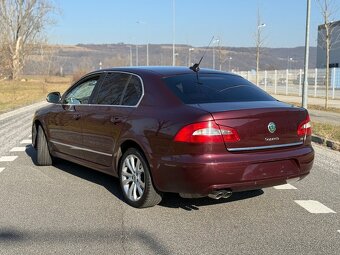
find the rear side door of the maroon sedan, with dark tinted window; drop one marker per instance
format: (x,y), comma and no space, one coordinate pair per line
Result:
(117,97)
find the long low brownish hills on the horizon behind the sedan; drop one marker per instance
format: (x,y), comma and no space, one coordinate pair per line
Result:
(68,59)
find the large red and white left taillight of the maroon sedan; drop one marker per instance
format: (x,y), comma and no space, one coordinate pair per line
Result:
(206,132)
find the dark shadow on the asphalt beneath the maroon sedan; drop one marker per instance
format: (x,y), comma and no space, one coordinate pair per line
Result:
(170,200)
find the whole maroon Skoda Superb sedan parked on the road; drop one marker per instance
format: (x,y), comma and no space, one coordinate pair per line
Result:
(174,129)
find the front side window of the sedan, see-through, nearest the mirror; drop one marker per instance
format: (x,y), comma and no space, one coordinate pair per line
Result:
(81,93)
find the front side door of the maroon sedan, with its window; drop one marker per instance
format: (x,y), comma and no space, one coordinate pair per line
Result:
(66,123)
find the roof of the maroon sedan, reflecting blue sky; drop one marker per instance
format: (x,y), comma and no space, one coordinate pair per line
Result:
(162,71)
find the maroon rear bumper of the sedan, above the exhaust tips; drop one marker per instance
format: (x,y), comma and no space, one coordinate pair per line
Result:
(203,174)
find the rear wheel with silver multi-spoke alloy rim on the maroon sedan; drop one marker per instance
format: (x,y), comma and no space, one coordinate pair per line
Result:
(135,180)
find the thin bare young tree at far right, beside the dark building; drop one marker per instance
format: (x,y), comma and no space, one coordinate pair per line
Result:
(327,39)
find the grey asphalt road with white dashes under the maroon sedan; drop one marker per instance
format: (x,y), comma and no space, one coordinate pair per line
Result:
(68,209)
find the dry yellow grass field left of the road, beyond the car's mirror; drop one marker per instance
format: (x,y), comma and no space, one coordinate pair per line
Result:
(14,94)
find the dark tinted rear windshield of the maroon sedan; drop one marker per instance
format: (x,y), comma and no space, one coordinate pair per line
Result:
(214,88)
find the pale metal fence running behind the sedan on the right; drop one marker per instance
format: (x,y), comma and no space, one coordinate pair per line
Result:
(289,82)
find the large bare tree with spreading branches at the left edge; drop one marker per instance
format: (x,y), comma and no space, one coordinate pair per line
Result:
(22,25)
